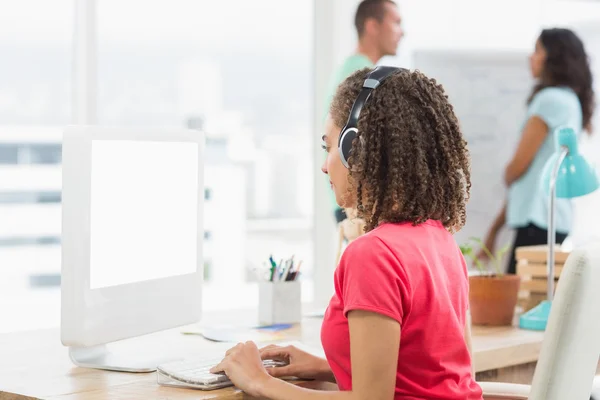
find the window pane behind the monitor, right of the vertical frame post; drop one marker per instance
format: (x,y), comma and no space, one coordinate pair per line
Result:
(218,67)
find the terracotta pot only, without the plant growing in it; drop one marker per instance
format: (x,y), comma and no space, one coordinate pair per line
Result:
(493,299)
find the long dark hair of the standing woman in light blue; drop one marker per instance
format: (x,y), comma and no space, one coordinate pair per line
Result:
(567,64)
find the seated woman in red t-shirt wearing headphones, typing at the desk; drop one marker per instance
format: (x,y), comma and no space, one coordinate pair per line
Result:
(397,326)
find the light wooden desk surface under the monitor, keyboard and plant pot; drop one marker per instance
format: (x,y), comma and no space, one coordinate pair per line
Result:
(35,364)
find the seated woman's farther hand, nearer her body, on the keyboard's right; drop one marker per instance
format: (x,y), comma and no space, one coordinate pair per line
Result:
(300,363)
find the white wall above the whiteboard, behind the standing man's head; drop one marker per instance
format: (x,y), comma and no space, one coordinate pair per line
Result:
(443,24)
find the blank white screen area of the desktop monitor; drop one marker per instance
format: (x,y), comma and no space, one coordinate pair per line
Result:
(144,206)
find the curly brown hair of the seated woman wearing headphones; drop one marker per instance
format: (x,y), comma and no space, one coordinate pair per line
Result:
(409,161)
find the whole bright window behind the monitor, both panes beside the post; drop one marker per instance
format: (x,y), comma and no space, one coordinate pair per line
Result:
(214,66)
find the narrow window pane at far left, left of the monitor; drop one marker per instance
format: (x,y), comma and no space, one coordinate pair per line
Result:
(34,105)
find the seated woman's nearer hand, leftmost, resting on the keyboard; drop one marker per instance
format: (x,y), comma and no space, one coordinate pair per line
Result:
(243,366)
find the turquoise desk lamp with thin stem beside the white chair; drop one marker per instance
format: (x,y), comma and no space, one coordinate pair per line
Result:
(566,175)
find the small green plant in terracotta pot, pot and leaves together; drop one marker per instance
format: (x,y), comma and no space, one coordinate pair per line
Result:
(493,294)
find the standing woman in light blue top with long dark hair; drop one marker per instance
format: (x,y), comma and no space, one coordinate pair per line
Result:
(562,96)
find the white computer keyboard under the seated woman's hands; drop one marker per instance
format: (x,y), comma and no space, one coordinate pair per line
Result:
(194,373)
